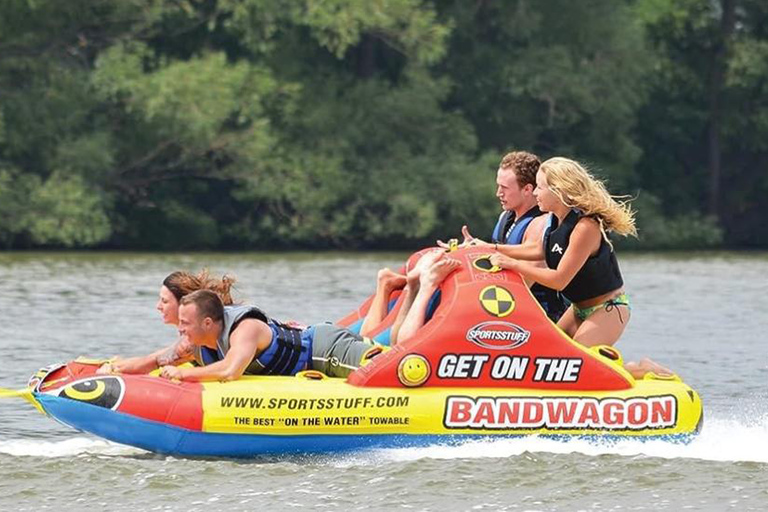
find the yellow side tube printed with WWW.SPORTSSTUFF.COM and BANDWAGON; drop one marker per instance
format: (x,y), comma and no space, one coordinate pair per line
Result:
(309,404)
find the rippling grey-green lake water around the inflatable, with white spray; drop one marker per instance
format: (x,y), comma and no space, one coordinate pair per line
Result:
(704,315)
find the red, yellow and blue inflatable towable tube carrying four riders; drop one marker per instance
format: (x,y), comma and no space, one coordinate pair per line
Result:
(488,363)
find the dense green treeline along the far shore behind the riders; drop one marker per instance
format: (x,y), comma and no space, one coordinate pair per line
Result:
(260,124)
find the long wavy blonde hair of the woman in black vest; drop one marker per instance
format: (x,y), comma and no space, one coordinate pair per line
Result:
(577,188)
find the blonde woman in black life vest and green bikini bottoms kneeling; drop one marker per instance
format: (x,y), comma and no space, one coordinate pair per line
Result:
(581,262)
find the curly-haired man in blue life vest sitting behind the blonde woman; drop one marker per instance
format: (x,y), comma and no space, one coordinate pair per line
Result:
(521,220)
